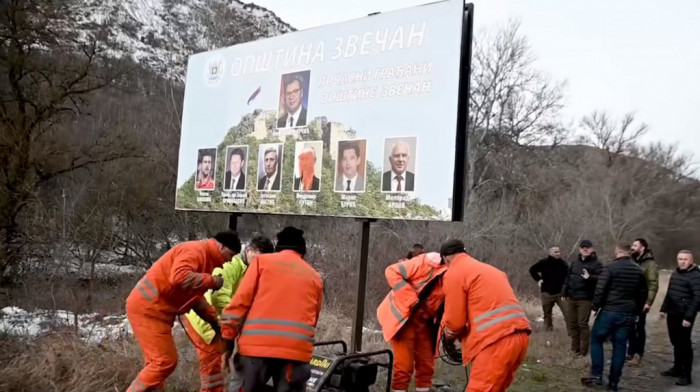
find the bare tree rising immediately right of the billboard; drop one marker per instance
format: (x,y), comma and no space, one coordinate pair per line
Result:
(512,103)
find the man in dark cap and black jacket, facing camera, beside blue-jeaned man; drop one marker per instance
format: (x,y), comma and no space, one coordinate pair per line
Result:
(579,287)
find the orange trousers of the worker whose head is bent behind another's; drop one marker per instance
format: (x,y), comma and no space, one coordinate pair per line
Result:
(413,348)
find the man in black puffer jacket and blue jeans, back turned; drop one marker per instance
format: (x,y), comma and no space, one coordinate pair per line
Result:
(619,298)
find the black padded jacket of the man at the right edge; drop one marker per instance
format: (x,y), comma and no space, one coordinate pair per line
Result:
(683,295)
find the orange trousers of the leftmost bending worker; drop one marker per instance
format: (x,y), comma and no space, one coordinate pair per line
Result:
(155,338)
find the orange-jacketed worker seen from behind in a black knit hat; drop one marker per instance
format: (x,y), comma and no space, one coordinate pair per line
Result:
(274,314)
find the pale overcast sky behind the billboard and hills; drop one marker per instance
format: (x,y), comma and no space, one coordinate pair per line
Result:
(620,56)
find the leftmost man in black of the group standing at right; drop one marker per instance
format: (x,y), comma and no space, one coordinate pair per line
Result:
(550,274)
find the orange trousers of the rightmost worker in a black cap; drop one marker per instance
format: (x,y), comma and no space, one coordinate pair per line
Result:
(494,368)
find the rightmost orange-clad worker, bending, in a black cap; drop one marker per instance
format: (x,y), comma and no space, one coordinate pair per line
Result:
(482,310)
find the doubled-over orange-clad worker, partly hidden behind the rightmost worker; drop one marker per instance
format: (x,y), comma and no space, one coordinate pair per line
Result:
(409,316)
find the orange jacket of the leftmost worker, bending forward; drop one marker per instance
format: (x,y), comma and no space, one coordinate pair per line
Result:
(177,280)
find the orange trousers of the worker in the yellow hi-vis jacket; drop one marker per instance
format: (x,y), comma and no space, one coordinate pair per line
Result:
(211,374)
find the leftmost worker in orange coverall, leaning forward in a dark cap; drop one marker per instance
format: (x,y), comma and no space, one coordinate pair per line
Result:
(174,285)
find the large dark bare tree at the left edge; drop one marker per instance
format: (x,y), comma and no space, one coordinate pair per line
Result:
(41,92)
